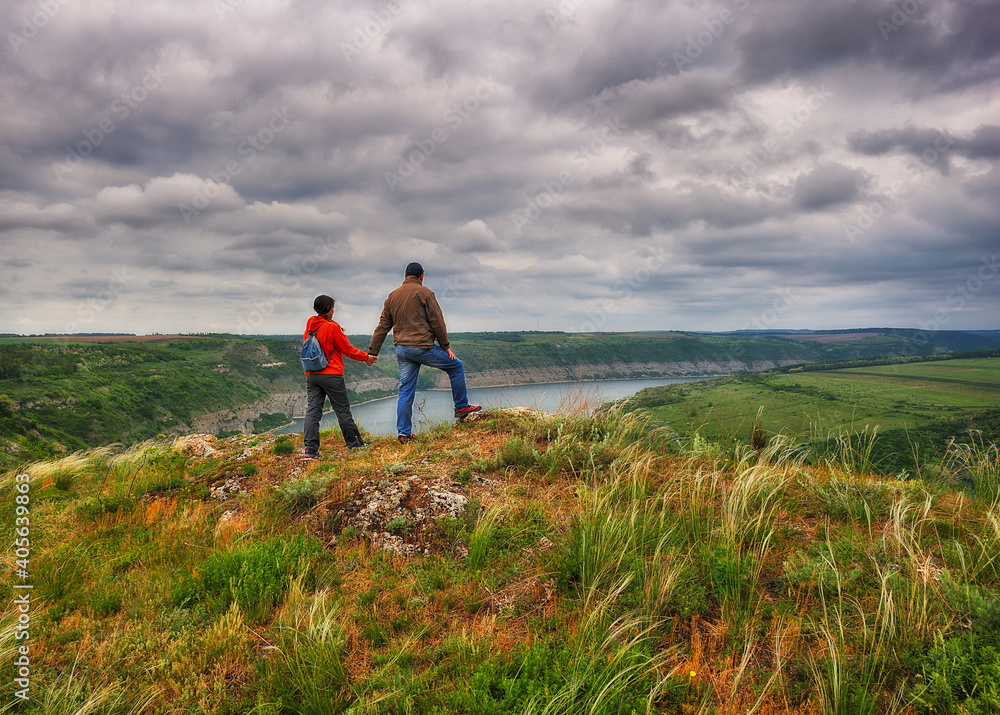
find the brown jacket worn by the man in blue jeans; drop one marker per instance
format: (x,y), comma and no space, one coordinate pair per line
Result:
(412,314)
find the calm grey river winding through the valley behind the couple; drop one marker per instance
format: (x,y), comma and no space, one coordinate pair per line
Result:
(378,417)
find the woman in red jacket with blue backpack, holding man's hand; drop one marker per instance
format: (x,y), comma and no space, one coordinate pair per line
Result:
(329,382)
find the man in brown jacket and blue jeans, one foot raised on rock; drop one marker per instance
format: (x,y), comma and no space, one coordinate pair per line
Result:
(413,315)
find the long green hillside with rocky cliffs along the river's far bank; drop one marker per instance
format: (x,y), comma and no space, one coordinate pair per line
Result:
(70,392)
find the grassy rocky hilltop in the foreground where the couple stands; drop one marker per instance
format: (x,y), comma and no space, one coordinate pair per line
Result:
(518,563)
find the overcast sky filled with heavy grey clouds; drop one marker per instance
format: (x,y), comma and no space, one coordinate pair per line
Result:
(212,165)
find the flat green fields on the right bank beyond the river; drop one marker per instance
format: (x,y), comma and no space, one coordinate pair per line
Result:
(916,407)
